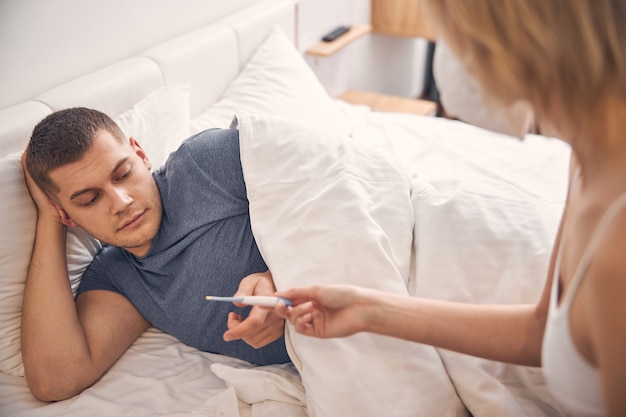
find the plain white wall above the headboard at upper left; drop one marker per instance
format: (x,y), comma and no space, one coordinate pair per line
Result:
(54,31)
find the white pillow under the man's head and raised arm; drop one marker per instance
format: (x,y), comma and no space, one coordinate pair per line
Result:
(162,119)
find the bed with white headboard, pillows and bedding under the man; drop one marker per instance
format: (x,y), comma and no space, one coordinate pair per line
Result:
(338,193)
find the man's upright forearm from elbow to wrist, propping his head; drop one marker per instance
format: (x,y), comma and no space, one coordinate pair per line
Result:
(53,343)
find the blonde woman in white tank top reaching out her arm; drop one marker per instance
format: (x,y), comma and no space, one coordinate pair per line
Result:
(567,59)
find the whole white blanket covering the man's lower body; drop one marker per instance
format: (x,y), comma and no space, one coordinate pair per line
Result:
(415,214)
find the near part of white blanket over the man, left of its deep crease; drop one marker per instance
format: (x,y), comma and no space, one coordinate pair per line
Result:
(329,209)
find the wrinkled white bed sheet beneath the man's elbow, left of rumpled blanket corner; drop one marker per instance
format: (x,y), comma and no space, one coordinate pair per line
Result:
(157,376)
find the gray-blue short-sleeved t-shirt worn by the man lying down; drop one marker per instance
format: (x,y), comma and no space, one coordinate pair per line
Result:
(204,247)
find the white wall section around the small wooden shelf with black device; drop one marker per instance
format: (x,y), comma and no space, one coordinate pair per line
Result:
(379,63)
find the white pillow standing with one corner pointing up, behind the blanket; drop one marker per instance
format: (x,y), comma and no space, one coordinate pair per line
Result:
(276,81)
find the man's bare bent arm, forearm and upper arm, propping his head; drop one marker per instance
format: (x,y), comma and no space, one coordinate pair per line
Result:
(67,345)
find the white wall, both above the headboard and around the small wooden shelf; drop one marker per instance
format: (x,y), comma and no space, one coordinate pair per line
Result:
(374,62)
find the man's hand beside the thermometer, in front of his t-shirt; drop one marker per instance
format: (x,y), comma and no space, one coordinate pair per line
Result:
(262,326)
